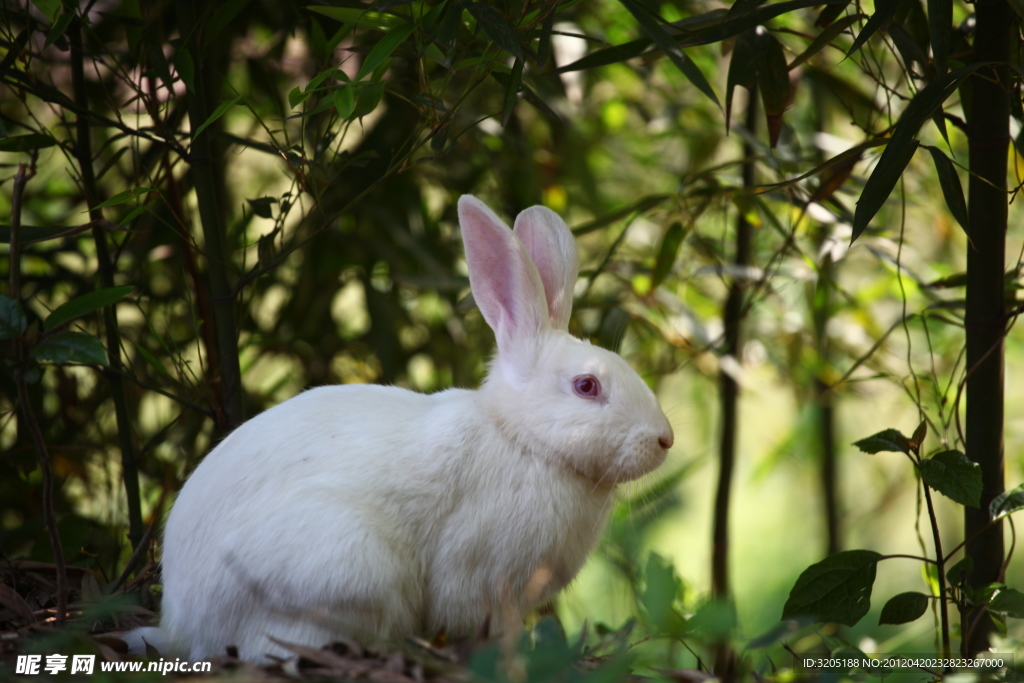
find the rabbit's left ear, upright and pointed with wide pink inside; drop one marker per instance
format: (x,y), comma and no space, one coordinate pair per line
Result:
(505,282)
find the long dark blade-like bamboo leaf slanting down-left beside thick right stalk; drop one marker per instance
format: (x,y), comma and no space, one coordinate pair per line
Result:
(903,146)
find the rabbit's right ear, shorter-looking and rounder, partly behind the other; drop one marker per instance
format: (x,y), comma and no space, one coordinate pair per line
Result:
(550,244)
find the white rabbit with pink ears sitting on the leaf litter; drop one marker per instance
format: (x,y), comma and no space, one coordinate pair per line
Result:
(372,513)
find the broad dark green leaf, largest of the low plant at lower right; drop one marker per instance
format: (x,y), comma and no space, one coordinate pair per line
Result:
(837,589)
